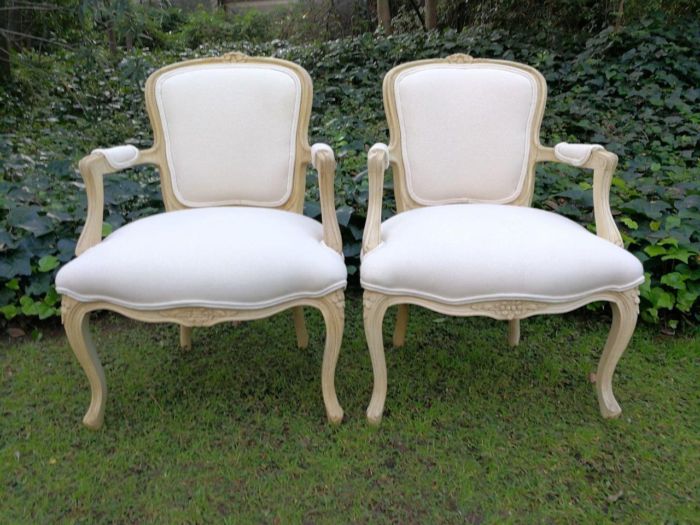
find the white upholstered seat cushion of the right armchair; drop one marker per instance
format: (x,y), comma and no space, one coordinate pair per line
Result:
(462,253)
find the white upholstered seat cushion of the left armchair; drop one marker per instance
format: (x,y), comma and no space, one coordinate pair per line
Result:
(243,258)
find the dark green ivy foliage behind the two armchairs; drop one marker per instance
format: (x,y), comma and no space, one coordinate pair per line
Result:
(634,91)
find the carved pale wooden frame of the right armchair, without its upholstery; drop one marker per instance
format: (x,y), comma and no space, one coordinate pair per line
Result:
(625,305)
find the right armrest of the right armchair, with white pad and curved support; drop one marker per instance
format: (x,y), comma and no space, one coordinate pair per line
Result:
(603,164)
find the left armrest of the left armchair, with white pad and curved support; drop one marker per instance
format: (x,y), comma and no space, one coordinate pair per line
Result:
(92,167)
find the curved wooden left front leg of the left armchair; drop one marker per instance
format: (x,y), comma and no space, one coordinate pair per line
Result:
(76,323)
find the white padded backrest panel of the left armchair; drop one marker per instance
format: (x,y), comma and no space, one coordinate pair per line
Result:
(230,132)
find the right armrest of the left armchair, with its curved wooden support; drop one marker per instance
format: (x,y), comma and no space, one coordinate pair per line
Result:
(323,161)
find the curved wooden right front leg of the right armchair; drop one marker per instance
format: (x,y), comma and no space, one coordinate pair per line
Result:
(625,312)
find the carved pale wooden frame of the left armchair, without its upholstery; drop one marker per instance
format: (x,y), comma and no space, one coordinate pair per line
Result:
(75,314)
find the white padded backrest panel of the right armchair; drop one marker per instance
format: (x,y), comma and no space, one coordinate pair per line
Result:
(465,131)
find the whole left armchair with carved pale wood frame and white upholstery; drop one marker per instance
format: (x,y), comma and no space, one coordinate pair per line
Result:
(230,142)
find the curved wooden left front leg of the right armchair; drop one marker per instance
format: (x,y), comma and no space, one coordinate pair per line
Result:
(374,310)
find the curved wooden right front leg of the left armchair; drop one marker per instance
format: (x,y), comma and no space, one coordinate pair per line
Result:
(333,311)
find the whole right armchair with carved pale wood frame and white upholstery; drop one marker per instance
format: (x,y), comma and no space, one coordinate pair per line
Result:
(464,145)
